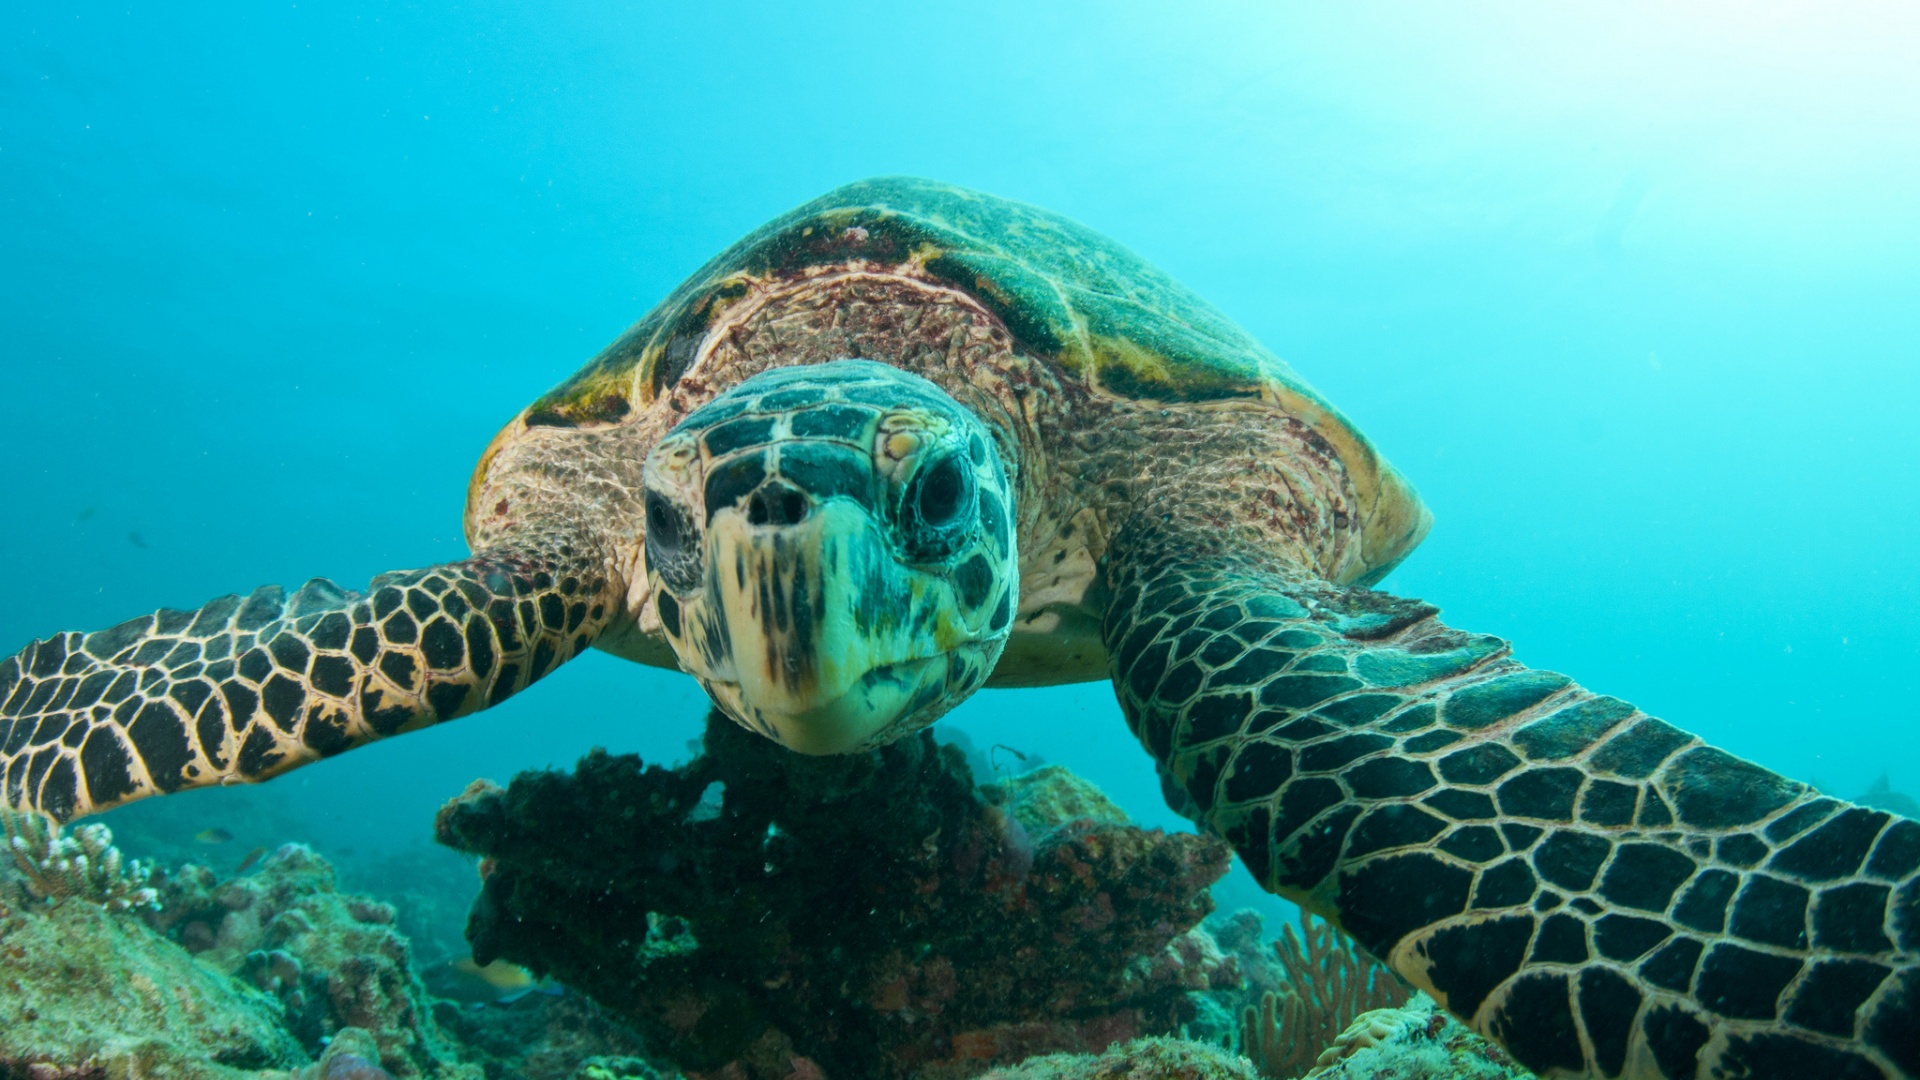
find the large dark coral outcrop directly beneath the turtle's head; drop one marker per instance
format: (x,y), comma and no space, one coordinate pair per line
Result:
(759,914)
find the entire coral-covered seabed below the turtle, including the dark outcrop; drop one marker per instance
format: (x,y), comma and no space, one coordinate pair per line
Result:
(746,916)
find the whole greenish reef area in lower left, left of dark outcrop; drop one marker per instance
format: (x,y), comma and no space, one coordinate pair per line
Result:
(268,977)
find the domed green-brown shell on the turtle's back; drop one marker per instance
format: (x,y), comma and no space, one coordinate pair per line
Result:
(1067,293)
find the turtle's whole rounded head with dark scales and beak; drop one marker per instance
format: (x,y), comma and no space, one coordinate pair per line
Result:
(832,554)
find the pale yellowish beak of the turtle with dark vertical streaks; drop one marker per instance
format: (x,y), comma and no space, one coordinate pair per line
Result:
(813,633)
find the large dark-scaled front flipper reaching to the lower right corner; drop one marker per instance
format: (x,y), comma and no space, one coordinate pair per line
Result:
(1591,887)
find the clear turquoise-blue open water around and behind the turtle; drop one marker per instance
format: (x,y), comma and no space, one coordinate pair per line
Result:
(1629,291)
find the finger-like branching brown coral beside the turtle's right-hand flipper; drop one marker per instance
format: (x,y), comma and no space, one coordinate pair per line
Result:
(1326,987)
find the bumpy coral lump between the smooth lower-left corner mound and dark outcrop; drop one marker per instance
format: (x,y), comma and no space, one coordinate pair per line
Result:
(333,960)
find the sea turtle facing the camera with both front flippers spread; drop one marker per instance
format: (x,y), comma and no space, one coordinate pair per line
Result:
(909,441)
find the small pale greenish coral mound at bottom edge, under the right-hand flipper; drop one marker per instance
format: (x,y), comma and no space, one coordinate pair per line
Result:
(1414,1043)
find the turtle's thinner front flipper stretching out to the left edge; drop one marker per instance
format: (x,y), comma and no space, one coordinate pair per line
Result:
(251,687)
